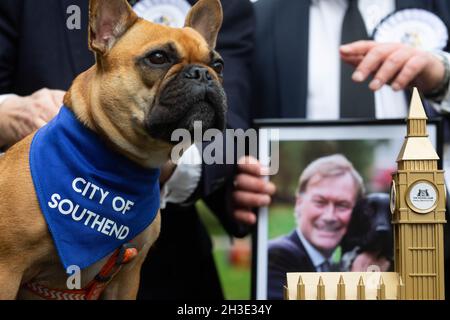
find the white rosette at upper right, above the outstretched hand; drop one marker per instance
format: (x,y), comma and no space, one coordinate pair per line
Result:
(416,27)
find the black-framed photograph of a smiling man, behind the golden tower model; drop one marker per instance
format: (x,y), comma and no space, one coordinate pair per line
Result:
(332,203)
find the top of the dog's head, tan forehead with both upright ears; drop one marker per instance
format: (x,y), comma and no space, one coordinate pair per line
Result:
(117,33)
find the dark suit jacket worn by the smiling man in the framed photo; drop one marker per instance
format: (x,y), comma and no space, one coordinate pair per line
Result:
(286,254)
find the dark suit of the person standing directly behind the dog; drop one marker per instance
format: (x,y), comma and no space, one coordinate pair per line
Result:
(37,50)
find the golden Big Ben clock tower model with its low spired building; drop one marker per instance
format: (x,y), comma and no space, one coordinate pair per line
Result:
(418,217)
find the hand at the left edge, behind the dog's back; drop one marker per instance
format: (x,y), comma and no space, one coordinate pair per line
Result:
(19,116)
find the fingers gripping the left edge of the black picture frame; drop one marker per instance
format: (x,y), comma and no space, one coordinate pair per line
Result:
(251,191)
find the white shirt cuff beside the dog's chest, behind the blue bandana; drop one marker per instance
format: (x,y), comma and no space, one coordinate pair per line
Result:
(184,179)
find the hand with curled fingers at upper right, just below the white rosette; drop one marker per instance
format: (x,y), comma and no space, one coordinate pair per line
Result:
(396,64)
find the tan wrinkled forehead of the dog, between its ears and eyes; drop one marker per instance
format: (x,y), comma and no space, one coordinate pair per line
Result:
(144,37)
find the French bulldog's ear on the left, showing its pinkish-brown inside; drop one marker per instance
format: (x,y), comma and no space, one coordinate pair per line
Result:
(108,21)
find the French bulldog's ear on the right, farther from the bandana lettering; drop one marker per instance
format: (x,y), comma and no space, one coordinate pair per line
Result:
(206,17)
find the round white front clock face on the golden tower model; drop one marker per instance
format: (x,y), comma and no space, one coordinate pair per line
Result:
(422,196)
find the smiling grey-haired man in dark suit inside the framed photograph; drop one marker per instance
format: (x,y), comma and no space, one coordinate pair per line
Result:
(329,188)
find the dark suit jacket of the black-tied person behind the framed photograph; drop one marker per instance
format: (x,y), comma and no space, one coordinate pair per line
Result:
(281,54)
